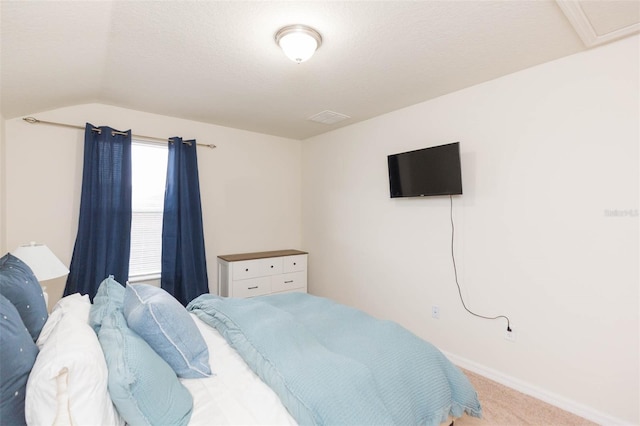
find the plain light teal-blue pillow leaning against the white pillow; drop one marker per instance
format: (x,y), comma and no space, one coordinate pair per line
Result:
(144,388)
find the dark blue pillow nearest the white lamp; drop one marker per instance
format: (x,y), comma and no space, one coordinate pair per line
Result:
(21,287)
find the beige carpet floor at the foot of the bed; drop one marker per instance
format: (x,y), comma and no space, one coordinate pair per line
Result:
(504,406)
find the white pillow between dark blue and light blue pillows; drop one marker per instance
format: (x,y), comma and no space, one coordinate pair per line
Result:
(74,346)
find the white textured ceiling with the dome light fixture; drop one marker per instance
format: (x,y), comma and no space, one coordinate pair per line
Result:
(217,61)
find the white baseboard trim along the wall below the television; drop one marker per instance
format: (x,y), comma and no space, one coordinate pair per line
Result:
(536,392)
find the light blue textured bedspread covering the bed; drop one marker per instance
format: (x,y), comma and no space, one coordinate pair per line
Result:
(335,365)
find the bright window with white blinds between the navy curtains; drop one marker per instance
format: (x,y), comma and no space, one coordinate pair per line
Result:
(148,177)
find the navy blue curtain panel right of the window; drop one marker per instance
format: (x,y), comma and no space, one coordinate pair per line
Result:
(184,265)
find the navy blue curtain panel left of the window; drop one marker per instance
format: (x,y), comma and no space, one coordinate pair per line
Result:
(104,230)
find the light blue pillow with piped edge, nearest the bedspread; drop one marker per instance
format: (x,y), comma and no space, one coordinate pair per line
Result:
(167,327)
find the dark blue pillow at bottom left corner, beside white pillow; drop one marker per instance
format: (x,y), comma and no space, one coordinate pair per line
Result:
(17,357)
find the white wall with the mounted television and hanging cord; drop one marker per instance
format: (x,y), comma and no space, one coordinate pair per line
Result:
(546,154)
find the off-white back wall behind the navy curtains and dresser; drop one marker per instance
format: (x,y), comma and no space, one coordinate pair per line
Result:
(250,184)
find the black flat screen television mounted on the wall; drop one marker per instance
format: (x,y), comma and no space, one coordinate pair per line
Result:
(425,172)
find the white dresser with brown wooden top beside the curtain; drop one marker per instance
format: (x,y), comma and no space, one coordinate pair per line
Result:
(260,273)
